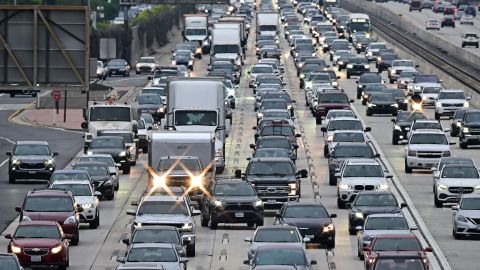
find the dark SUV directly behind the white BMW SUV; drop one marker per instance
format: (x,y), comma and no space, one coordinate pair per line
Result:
(344,151)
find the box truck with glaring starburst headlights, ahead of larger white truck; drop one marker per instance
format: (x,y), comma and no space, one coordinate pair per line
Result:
(178,158)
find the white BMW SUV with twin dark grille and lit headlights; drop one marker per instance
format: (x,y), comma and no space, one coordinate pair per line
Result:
(357,175)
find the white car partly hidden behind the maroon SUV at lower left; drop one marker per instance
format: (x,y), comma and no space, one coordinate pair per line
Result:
(84,195)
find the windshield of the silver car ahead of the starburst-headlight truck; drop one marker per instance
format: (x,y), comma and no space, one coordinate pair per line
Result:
(163,208)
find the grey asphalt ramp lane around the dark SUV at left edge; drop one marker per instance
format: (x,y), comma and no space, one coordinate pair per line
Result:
(66,143)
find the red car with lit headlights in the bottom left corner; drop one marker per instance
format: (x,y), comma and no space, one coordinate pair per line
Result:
(40,243)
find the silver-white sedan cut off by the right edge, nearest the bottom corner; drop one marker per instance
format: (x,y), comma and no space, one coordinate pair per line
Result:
(466,218)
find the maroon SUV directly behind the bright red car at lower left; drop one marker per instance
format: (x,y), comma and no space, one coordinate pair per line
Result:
(53,205)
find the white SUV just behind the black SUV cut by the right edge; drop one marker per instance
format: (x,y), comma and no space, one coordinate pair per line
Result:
(449,101)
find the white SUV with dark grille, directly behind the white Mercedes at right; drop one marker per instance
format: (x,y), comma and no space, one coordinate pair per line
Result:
(425,148)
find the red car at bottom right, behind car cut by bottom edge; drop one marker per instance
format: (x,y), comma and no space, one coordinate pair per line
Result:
(401,243)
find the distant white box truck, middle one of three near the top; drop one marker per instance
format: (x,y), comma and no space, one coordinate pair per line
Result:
(226,44)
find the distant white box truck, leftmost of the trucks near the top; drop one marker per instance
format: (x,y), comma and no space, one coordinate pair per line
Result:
(196,29)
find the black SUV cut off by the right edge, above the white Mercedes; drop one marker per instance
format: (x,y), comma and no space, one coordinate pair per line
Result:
(470,133)
